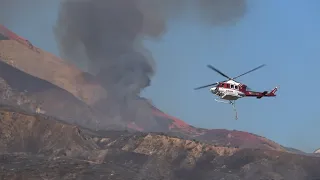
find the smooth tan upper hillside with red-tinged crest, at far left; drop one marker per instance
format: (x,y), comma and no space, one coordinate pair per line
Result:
(21,54)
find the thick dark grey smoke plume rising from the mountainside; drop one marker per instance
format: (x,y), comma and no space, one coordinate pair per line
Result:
(108,36)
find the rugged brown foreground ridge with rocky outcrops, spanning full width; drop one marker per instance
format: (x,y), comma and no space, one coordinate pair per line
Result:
(41,147)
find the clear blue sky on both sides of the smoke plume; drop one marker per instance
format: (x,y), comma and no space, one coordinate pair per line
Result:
(283,34)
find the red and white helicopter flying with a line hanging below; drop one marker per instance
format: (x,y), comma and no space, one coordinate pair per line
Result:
(232,90)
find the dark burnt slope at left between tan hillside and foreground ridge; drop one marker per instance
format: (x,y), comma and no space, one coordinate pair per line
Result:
(33,94)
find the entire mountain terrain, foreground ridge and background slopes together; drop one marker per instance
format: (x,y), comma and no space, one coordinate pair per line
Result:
(51,128)
